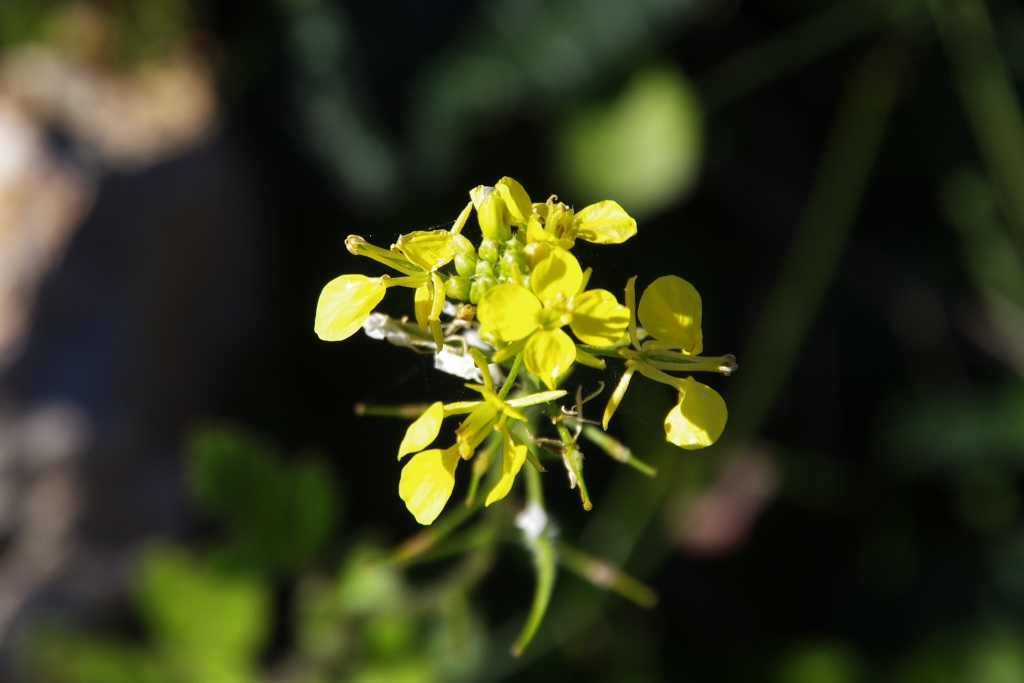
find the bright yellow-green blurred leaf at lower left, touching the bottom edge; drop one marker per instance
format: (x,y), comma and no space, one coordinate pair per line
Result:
(207,627)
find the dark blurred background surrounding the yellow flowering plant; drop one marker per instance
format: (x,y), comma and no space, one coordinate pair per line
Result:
(187,494)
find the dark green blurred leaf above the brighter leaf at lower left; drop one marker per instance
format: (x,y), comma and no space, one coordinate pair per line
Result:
(278,517)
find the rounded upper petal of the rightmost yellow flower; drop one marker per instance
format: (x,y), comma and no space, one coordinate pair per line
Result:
(670,312)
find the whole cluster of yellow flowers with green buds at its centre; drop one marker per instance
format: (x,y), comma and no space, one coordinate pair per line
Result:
(524,286)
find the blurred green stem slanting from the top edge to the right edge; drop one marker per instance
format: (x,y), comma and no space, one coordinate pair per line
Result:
(988,92)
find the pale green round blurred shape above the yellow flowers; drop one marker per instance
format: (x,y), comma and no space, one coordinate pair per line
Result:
(643,149)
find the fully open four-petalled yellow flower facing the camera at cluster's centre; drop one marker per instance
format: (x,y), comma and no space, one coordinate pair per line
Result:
(531,320)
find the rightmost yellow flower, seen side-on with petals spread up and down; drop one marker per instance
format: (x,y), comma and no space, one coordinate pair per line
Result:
(670,312)
